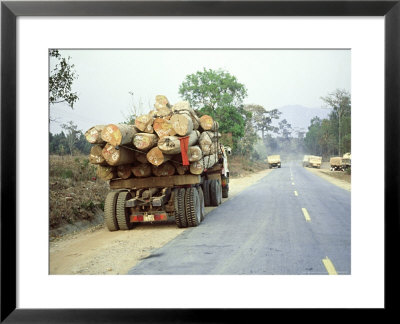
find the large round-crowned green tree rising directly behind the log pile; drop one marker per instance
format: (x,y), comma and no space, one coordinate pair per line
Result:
(220,95)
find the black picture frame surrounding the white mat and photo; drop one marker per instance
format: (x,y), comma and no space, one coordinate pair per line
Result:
(10,10)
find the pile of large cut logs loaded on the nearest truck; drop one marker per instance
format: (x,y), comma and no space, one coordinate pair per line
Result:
(152,146)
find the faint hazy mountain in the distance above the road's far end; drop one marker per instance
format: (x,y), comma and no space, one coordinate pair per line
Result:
(300,116)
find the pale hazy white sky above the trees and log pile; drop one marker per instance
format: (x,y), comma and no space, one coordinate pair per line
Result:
(273,78)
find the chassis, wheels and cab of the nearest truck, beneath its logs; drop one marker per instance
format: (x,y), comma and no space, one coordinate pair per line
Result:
(180,198)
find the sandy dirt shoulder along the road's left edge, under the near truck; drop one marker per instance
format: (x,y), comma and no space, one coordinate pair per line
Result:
(97,251)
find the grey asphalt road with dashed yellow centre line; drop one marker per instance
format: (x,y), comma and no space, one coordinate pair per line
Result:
(291,222)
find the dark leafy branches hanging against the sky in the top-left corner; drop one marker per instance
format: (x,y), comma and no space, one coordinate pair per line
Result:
(61,79)
